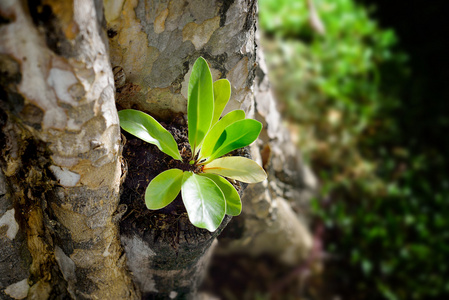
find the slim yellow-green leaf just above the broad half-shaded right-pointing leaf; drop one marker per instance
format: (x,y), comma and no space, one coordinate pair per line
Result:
(212,136)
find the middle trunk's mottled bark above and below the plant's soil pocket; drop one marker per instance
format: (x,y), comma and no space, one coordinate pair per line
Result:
(153,45)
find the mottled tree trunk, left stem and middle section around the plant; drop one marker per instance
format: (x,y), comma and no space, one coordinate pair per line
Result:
(61,152)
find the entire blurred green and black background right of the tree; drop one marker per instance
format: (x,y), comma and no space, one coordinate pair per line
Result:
(363,87)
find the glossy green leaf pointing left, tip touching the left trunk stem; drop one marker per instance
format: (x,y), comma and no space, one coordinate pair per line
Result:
(148,129)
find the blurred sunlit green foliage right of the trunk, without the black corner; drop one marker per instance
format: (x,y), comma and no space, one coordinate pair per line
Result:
(383,191)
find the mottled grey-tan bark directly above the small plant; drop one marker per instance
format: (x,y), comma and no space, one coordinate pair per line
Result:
(153,45)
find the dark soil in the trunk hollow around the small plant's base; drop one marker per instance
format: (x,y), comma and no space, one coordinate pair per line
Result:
(146,161)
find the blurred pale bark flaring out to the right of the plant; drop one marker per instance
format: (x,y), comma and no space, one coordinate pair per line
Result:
(275,218)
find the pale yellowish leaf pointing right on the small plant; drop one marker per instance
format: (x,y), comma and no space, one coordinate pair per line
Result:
(238,168)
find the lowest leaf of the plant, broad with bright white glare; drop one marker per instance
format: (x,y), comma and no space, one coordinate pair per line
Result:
(204,201)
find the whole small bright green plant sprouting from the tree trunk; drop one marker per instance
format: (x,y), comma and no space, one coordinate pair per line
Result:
(207,196)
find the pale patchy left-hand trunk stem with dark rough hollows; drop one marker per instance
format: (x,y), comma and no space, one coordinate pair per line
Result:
(60,152)
